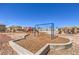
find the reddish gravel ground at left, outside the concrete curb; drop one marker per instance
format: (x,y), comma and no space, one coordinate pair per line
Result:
(5,49)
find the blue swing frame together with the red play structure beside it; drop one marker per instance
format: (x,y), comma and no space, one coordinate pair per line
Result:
(41,28)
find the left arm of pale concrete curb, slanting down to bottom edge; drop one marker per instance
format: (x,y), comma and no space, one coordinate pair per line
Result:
(20,50)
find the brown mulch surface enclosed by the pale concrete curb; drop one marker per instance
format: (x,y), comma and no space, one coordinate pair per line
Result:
(33,44)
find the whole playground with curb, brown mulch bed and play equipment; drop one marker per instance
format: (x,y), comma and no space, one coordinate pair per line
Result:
(37,38)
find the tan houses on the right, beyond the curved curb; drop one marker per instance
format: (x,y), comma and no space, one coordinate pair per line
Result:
(68,30)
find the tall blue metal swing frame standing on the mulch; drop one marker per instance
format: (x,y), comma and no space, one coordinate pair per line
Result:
(46,27)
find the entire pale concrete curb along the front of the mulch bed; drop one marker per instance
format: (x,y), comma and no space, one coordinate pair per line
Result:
(43,51)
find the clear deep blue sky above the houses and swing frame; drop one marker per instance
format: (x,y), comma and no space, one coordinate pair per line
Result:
(29,14)
